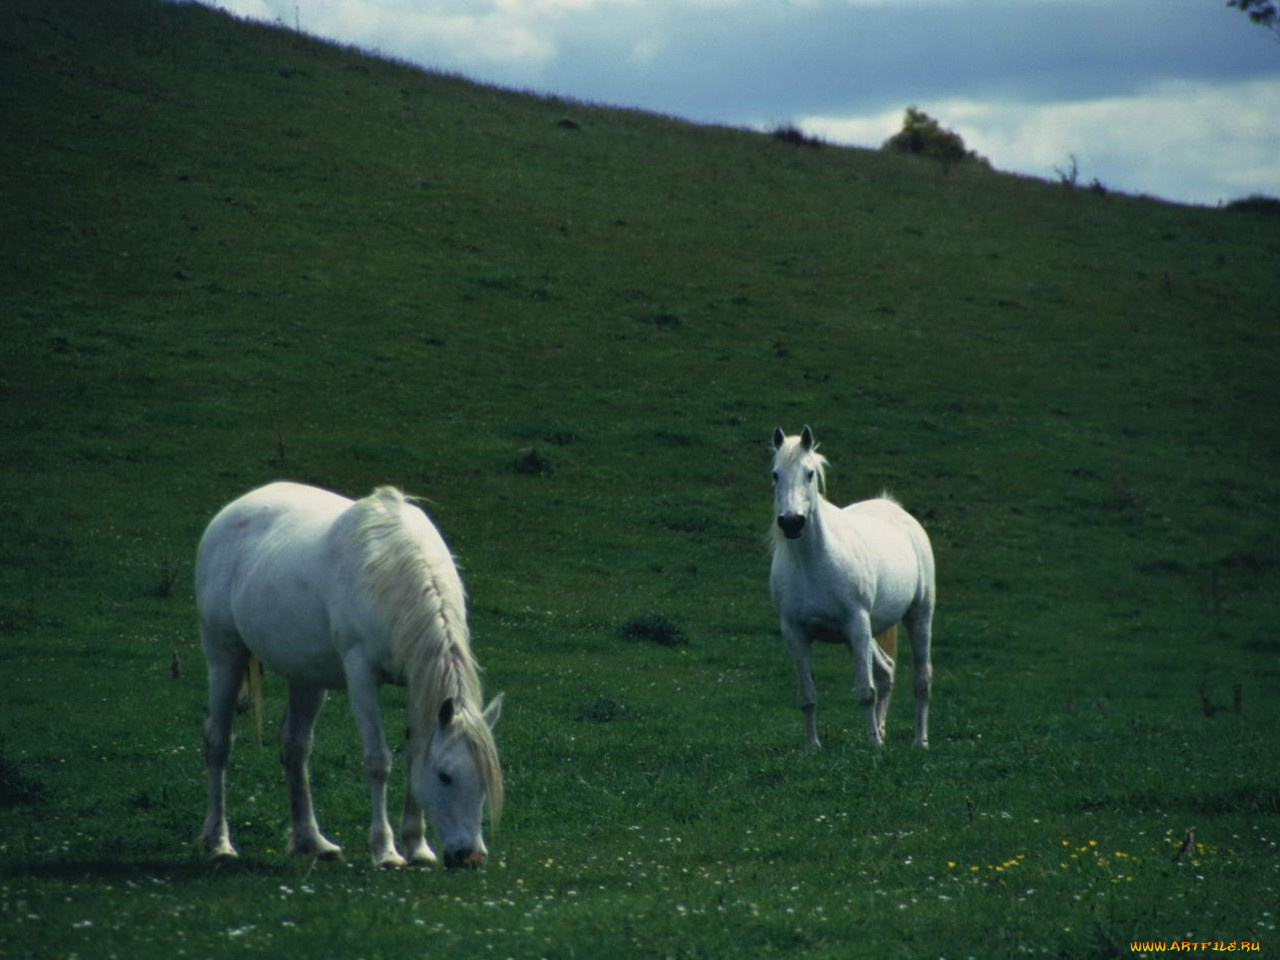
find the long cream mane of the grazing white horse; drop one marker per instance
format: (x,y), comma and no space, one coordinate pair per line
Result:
(427,606)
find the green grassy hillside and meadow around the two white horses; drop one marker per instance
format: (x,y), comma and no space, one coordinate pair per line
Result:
(231,254)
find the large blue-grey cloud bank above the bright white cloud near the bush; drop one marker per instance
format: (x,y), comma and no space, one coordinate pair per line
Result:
(732,60)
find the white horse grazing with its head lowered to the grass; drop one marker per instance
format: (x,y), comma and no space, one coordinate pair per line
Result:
(333,593)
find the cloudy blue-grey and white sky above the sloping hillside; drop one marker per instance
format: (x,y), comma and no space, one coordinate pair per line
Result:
(1173,99)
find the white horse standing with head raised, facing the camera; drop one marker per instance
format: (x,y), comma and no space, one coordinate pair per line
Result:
(848,575)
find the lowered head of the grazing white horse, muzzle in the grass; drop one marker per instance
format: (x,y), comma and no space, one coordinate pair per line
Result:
(458,776)
